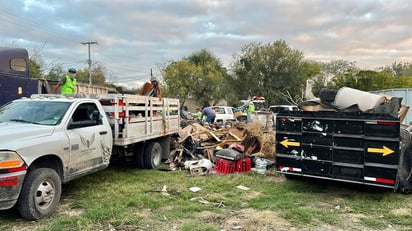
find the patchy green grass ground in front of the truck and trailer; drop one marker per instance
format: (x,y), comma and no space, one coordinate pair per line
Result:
(132,199)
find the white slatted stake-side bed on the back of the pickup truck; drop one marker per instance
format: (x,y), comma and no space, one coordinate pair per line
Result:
(136,118)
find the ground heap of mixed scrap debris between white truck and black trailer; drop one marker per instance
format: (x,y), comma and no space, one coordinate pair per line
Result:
(197,142)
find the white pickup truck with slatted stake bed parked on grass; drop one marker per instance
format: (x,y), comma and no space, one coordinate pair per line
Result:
(47,140)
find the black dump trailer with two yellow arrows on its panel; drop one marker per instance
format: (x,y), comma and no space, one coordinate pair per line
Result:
(356,147)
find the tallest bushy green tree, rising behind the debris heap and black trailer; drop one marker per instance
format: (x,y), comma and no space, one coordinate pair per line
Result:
(274,71)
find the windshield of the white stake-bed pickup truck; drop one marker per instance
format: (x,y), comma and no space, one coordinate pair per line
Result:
(35,112)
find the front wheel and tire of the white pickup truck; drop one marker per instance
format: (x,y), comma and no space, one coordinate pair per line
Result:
(40,194)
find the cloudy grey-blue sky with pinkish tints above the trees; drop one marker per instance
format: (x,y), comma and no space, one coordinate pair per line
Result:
(135,36)
